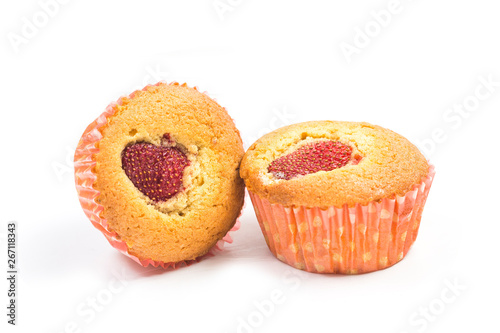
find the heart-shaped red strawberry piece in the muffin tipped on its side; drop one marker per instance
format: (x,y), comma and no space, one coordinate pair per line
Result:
(156,171)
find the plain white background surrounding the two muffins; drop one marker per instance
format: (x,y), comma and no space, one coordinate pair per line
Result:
(270,64)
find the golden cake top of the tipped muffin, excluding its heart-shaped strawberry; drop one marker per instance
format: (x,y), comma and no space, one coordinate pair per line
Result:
(187,225)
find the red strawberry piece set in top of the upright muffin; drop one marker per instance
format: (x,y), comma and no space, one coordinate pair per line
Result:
(311,158)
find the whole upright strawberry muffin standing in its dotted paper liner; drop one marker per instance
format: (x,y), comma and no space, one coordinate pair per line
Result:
(337,197)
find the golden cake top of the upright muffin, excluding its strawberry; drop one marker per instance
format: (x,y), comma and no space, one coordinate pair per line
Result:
(388,165)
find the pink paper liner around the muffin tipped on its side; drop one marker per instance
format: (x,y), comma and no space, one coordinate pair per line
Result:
(85,178)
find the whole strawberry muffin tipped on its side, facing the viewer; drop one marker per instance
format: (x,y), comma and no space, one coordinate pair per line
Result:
(157,174)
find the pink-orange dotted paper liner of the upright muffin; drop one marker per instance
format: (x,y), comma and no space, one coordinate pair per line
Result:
(346,240)
